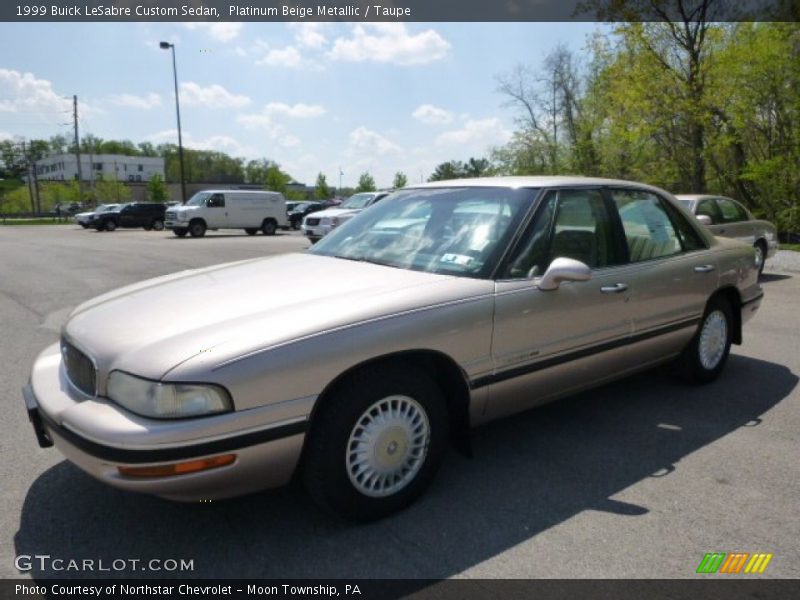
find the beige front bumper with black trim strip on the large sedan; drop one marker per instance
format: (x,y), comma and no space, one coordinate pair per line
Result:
(264,457)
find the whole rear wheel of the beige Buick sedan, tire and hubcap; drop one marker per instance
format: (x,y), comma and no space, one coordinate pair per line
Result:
(704,358)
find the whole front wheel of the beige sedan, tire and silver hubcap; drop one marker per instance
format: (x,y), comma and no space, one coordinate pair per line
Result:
(376,442)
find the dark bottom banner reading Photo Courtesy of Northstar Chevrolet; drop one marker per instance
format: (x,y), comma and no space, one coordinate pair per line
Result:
(718,588)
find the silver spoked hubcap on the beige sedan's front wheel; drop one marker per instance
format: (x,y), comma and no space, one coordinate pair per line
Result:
(387,446)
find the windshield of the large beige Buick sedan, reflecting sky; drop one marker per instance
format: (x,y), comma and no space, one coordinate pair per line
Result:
(454,231)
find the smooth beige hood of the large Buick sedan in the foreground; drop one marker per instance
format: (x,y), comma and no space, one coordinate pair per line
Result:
(226,311)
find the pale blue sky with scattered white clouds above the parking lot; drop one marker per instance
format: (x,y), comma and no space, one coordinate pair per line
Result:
(313,97)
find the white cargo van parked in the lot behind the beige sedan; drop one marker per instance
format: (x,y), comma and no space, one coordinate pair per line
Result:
(228,209)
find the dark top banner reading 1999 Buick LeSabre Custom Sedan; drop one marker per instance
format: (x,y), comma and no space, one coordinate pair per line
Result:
(398,10)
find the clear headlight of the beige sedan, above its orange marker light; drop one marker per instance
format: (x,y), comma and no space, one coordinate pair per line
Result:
(166,400)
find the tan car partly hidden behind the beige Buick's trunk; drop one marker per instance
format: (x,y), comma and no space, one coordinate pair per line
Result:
(727,217)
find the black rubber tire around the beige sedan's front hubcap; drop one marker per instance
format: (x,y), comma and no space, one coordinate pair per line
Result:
(326,470)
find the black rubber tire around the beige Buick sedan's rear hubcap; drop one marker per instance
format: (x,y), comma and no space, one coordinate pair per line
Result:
(690,365)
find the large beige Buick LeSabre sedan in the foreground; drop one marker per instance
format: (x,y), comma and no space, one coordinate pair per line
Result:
(444,306)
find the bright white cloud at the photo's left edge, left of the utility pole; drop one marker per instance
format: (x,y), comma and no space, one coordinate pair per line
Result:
(36,97)
